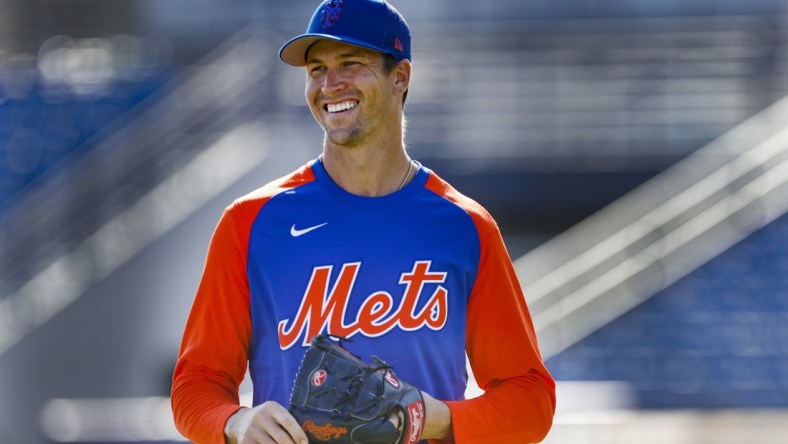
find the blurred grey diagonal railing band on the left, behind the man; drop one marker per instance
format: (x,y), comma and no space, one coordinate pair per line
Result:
(149,175)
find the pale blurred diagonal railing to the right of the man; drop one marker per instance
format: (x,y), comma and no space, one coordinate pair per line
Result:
(658,233)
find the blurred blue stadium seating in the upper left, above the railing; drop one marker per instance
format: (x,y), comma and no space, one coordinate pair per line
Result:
(53,109)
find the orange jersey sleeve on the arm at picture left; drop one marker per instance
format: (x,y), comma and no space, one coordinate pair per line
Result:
(213,356)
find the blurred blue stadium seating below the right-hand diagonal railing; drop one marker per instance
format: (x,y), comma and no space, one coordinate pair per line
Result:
(715,339)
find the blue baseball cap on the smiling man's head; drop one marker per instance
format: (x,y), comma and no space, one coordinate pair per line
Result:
(372,24)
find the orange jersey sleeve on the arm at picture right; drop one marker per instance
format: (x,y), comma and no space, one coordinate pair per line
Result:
(518,403)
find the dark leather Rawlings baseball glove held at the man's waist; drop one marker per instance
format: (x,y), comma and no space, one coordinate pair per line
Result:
(339,398)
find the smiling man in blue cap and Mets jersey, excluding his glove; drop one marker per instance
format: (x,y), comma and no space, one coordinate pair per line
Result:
(365,243)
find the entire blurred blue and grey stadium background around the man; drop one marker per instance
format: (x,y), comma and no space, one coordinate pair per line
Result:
(634,152)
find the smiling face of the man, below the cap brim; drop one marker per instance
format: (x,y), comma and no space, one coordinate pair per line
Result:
(350,93)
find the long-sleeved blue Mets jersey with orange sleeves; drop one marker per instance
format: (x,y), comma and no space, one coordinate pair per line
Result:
(418,278)
